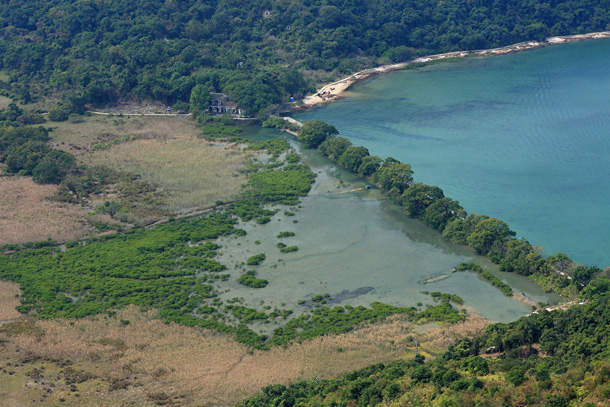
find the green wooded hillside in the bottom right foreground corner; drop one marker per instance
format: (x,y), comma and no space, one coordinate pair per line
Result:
(551,359)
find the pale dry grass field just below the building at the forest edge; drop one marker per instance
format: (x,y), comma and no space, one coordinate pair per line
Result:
(192,171)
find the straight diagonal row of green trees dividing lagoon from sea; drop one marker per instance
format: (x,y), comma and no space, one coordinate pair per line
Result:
(488,236)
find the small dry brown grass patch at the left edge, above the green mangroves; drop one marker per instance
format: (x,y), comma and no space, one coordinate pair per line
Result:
(26,214)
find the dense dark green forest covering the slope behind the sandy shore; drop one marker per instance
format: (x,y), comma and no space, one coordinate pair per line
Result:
(258,52)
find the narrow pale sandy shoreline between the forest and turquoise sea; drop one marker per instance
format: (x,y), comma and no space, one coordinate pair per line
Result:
(333,91)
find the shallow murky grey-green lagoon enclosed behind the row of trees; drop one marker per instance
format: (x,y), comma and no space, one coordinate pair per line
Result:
(357,241)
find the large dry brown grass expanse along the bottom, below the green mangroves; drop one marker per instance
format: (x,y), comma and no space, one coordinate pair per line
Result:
(200,367)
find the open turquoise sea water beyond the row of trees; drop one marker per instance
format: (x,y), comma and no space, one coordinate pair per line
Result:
(522,137)
